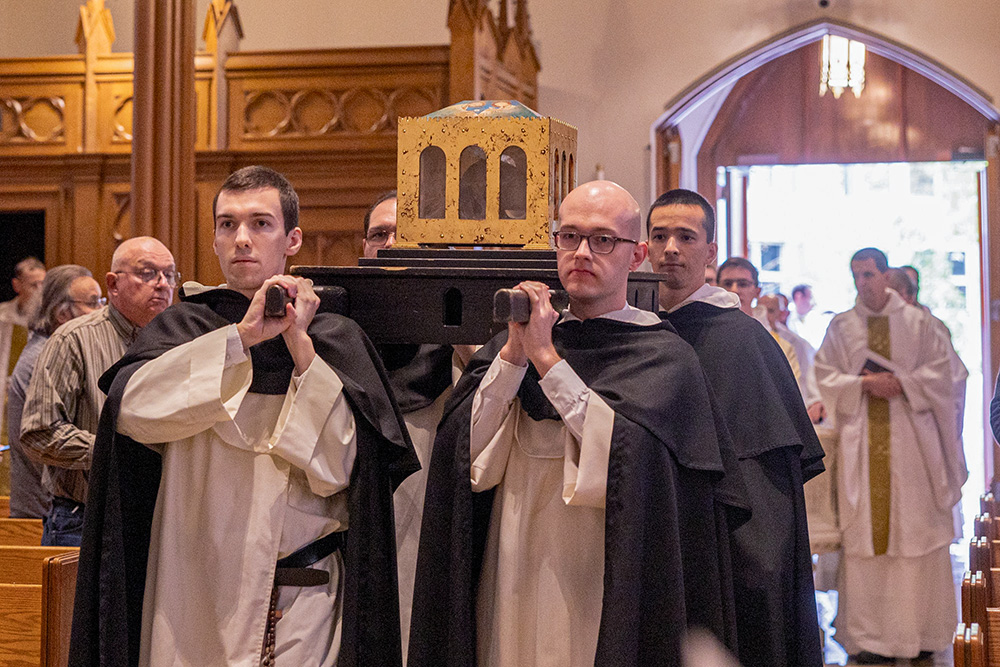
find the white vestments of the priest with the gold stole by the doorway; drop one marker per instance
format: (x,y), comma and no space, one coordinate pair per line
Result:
(902,602)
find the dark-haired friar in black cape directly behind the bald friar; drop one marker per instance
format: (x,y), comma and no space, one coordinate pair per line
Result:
(774,439)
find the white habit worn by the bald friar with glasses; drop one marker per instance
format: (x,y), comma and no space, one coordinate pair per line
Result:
(542,583)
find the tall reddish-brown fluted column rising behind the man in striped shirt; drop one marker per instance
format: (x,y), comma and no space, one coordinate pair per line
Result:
(163,122)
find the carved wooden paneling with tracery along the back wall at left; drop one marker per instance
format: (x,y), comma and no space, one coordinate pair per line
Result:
(325,118)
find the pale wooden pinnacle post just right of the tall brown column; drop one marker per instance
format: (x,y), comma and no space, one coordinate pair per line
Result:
(222,35)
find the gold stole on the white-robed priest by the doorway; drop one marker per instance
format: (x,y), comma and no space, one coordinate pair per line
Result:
(878,442)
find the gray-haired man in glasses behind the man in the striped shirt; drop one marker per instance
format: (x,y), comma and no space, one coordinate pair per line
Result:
(68,292)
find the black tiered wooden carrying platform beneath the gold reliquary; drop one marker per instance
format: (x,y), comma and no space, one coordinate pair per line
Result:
(445,296)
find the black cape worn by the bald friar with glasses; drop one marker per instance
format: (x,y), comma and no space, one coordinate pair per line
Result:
(664,565)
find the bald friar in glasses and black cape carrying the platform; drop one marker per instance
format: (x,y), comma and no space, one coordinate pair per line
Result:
(591,484)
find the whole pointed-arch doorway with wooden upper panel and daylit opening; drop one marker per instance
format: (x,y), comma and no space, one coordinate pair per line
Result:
(828,139)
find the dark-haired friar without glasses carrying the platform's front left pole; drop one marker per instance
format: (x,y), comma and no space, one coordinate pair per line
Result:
(258,454)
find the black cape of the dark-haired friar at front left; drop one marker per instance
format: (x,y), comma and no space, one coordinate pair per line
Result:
(125,476)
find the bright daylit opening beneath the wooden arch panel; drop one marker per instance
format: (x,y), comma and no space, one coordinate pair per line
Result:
(804,222)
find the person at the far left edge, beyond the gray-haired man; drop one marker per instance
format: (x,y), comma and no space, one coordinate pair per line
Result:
(15,315)
